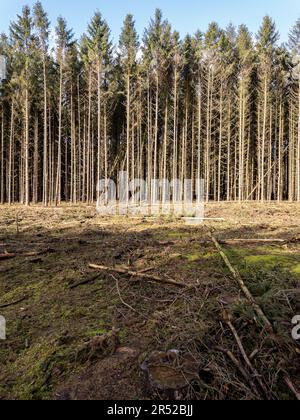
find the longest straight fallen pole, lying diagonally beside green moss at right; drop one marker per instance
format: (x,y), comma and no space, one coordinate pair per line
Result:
(242,285)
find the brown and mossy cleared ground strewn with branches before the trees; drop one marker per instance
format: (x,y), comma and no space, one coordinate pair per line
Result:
(87,341)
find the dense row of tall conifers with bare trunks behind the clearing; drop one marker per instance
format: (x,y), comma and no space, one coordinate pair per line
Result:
(216,105)
